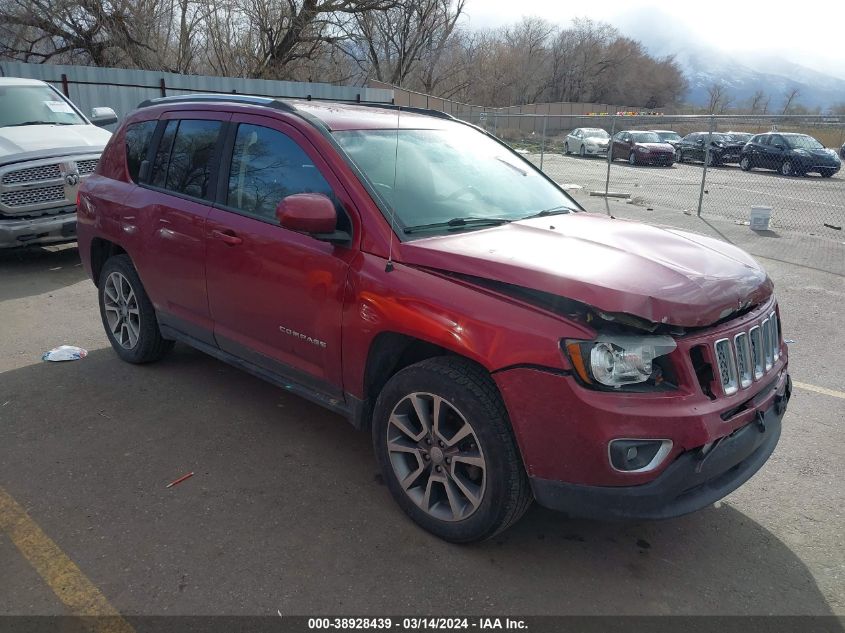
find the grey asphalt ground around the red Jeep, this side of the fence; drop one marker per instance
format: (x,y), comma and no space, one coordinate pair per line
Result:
(286,510)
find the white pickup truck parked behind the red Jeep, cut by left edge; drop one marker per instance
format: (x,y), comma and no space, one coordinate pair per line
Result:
(47,146)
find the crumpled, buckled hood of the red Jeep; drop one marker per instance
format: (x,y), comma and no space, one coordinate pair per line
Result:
(659,274)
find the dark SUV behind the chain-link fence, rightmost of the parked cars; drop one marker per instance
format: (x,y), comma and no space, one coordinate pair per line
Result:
(790,154)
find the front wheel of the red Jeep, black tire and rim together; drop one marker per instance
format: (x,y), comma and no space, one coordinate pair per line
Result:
(443,440)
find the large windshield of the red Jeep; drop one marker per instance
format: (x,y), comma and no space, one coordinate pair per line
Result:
(450,173)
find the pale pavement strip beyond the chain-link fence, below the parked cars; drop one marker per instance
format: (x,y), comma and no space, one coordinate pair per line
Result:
(798,203)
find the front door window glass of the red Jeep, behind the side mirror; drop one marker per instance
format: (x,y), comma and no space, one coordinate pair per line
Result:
(266,167)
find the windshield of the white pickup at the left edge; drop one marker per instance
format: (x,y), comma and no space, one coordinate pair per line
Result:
(31,105)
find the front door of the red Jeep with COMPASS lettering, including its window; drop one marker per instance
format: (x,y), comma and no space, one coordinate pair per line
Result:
(276,295)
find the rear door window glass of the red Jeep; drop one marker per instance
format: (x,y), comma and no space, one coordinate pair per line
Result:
(184,157)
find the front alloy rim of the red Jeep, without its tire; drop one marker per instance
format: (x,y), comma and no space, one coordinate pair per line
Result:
(436,456)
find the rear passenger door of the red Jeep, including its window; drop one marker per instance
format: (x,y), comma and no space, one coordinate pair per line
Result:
(171,208)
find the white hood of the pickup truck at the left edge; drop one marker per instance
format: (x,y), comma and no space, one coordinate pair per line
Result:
(36,138)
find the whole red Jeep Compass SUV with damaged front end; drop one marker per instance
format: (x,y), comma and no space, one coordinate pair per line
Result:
(412,273)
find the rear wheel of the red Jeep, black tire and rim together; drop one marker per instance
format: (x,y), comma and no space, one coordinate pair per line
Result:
(128,315)
